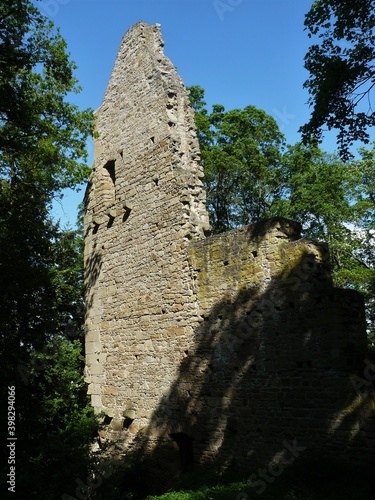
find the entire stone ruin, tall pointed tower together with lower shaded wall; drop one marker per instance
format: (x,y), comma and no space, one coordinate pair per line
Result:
(221,346)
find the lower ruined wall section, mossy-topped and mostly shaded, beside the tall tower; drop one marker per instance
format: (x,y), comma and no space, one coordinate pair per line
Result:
(277,360)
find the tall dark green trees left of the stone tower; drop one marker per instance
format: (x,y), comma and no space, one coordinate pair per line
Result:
(42,151)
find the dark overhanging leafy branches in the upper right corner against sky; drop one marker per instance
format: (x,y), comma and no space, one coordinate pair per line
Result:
(341,67)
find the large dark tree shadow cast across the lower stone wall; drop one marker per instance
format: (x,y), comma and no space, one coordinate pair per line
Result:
(270,377)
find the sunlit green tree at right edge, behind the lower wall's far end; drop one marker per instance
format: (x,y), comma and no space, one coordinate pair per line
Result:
(325,195)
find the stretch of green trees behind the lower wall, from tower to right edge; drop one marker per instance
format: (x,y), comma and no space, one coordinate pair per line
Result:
(251,174)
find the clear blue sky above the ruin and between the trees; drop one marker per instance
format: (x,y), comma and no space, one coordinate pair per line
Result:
(240,51)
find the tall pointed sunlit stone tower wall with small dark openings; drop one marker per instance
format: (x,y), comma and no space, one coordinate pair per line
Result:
(144,204)
